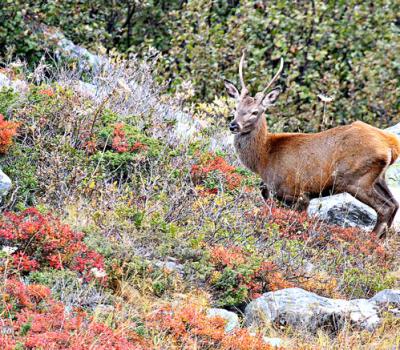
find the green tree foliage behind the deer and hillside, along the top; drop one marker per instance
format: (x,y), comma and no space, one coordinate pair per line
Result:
(348,49)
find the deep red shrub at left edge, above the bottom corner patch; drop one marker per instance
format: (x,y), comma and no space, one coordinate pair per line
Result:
(42,240)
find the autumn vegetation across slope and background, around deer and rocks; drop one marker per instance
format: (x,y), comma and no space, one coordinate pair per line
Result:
(119,232)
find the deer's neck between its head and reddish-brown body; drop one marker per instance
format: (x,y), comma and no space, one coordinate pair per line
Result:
(251,147)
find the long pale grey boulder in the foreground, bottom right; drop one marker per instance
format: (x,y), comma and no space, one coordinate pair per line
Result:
(308,311)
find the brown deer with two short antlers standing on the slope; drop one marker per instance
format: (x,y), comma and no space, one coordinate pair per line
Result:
(297,167)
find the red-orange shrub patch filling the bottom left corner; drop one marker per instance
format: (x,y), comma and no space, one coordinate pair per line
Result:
(34,320)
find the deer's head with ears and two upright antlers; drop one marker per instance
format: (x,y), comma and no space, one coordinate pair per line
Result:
(249,109)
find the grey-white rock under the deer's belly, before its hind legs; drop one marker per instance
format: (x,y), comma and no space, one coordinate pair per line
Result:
(343,210)
